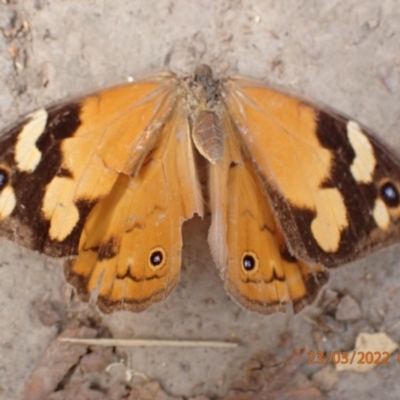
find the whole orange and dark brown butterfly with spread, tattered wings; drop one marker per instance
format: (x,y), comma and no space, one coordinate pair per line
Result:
(107,181)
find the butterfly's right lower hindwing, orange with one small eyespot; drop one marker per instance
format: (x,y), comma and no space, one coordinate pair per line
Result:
(246,241)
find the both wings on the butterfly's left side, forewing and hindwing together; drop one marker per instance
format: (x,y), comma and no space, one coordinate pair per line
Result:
(109,178)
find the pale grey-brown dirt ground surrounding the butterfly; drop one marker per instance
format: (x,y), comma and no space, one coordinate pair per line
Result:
(344,53)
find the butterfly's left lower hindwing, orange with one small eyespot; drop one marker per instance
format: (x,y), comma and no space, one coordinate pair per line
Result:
(131,243)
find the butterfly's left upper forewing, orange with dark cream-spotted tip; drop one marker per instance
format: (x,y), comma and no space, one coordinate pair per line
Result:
(59,162)
